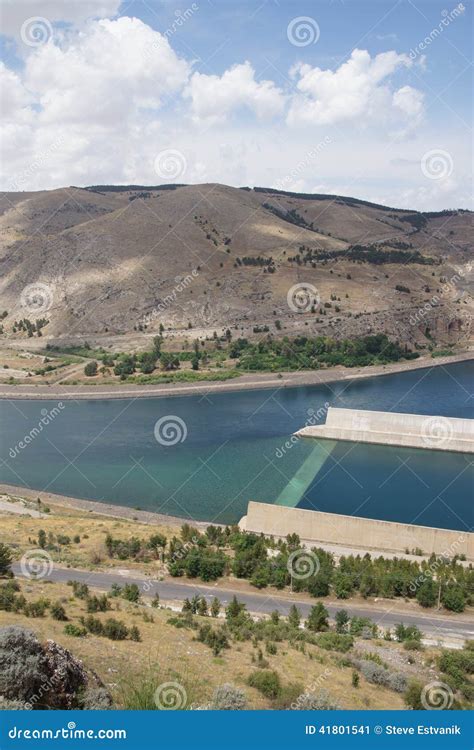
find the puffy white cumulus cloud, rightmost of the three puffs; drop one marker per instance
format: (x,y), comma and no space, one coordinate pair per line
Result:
(358,88)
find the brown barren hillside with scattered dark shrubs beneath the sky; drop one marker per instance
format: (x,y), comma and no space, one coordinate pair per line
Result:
(114,260)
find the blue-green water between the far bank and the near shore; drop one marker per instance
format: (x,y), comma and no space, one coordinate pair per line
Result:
(234,451)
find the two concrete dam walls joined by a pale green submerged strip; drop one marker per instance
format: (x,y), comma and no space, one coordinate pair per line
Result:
(379,428)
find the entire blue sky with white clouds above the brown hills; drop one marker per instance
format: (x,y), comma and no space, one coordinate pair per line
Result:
(369,99)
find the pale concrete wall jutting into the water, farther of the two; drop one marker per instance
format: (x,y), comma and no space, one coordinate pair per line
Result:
(389,428)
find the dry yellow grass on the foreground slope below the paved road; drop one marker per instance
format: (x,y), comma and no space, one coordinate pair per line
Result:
(168,653)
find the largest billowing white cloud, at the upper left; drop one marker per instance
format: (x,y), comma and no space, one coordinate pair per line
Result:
(104,74)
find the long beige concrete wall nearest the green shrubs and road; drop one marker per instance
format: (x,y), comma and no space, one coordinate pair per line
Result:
(315,527)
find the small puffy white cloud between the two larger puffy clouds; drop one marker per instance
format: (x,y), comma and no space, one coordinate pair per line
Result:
(214,98)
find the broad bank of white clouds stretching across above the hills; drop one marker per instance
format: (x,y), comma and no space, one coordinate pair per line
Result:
(99,101)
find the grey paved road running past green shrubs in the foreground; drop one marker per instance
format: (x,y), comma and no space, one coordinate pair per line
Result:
(434,625)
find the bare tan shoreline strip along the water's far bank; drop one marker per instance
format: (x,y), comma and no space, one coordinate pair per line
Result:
(245,382)
